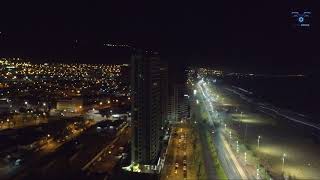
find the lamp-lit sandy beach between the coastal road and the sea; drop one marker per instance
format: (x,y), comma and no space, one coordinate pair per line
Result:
(282,132)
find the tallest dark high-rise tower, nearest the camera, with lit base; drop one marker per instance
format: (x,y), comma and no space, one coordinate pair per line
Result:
(146,108)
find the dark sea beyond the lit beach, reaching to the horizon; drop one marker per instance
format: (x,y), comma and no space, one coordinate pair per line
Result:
(299,94)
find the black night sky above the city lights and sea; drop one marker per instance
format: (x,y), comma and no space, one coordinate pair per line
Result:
(233,34)
